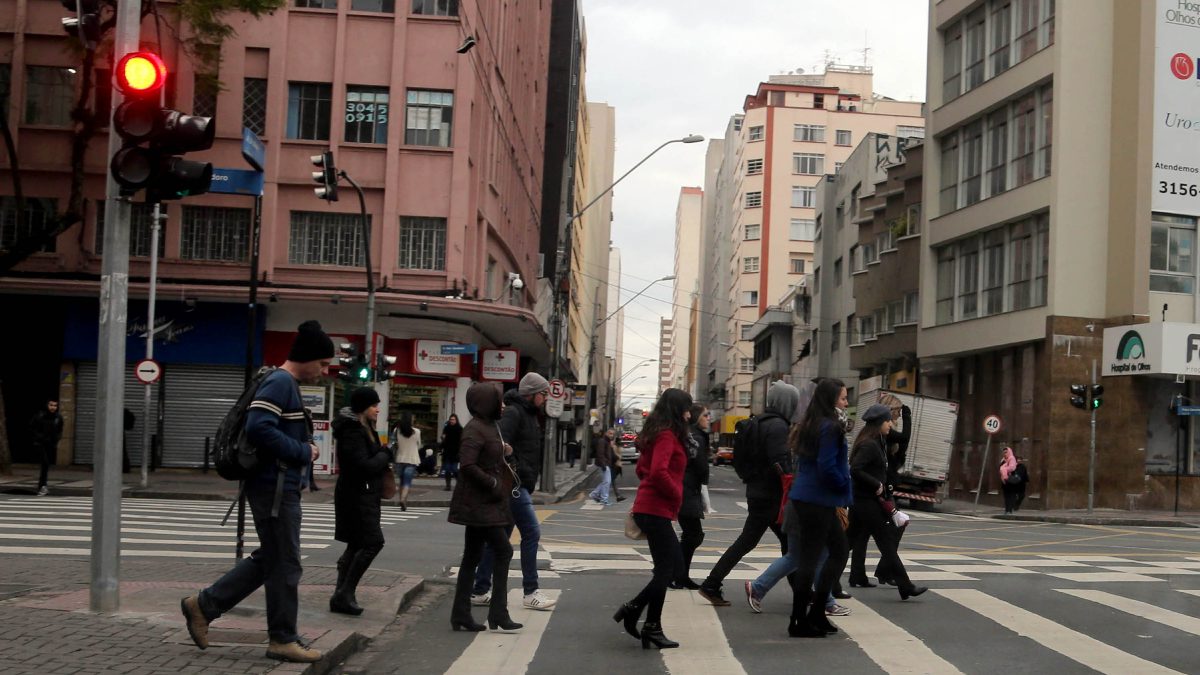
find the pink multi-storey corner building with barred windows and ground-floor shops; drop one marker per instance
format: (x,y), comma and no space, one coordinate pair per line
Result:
(449,148)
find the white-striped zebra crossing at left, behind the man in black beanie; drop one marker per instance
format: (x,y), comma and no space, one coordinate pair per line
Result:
(62,527)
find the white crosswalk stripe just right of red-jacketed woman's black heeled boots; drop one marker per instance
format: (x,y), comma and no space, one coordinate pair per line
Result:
(693,623)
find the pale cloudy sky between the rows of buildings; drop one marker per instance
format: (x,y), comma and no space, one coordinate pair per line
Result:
(674,68)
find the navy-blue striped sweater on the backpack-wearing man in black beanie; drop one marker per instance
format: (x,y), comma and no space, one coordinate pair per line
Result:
(277,426)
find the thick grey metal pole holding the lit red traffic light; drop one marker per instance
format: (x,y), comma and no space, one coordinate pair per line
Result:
(115,282)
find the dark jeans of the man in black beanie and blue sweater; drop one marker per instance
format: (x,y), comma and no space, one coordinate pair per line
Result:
(274,565)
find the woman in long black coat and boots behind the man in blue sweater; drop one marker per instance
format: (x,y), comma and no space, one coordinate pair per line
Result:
(363,462)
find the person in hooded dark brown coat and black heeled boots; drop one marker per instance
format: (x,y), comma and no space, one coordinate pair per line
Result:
(481,501)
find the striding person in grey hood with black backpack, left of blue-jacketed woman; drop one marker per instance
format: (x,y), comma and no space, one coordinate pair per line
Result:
(761,459)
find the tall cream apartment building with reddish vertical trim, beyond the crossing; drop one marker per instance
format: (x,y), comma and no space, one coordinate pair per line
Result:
(795,130)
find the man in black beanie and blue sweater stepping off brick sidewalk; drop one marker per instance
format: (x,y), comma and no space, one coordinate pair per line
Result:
(277,425)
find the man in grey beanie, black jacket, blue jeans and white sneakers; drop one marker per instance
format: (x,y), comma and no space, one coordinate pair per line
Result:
(521,428)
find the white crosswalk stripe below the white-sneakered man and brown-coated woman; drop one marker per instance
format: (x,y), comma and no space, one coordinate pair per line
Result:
(507,653)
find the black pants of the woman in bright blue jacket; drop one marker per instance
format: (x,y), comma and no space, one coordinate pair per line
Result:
(820,529)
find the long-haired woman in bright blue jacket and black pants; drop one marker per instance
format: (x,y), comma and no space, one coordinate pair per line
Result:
(821,486)
